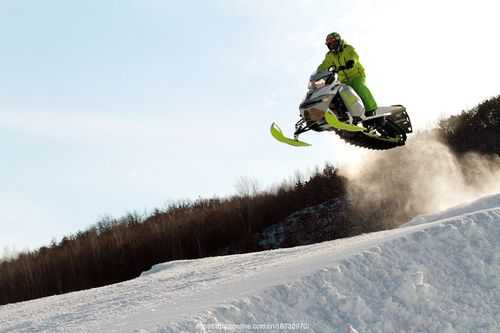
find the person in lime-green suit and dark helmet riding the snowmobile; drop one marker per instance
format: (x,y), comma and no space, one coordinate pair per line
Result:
(344,58)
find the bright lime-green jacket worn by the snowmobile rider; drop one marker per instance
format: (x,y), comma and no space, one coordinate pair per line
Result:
(335,59)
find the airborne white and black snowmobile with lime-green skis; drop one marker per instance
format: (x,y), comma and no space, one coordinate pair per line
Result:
(330,105)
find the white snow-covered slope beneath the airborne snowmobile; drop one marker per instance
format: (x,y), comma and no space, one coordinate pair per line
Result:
(438,273)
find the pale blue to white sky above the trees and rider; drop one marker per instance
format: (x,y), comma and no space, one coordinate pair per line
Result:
(109,107)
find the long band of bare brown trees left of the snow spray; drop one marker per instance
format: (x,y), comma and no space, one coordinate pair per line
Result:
(115,250)
